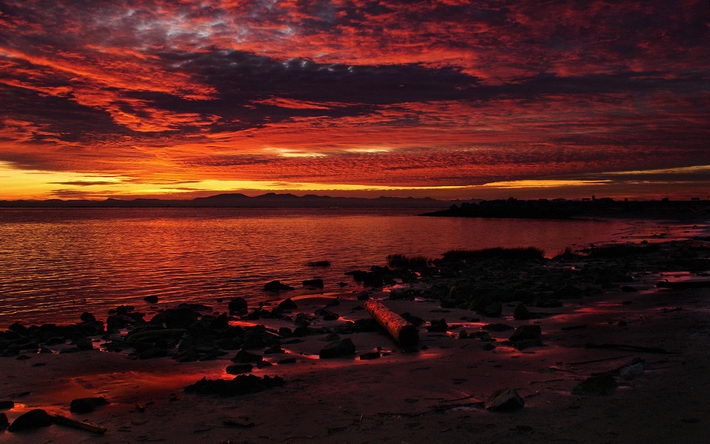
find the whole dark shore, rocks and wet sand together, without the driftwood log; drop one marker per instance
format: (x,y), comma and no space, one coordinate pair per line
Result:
(607,344)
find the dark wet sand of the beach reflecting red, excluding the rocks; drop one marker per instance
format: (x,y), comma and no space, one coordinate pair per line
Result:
(652,344)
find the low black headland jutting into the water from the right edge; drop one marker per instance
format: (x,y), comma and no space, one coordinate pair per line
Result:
(691,210)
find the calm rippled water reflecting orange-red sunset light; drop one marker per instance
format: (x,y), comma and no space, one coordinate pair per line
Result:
(55,264)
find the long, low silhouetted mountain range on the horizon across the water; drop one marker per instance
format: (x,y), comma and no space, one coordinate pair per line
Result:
(237,200)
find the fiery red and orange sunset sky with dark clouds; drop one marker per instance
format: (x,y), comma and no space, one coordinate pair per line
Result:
(449,99)
